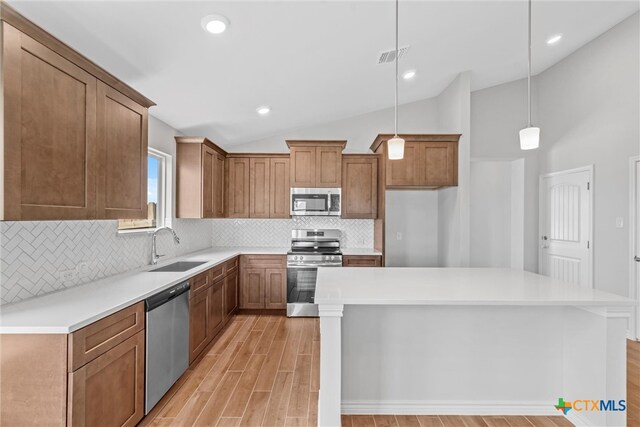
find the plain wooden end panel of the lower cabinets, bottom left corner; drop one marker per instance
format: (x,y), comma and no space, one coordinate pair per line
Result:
(33,379)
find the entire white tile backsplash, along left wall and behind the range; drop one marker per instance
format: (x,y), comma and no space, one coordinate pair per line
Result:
(40,257)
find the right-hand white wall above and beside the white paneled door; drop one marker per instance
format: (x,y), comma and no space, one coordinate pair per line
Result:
(589,107)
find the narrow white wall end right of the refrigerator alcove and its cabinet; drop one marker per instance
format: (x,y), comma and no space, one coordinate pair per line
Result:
(453,203)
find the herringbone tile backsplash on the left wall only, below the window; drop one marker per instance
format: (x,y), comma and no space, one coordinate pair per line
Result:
(45,256)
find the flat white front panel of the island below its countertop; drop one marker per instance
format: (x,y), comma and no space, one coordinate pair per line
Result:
(492,360)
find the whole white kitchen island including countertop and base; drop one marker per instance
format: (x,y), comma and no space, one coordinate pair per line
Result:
(467,341)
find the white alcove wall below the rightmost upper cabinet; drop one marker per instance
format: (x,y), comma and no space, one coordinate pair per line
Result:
(414,214)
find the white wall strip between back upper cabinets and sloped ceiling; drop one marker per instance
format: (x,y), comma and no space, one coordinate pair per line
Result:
(359,131)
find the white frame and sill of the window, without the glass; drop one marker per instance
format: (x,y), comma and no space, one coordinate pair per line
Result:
(165,190)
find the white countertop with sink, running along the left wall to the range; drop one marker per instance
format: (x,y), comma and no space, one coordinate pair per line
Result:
(69,310)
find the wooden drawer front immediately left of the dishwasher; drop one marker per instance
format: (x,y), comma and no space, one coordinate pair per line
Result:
(96,339)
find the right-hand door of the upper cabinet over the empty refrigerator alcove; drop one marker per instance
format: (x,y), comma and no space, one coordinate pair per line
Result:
(439,164)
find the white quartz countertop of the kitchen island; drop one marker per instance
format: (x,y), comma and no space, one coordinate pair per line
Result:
(452,286)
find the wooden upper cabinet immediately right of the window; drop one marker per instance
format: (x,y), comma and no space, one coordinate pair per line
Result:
(200,179)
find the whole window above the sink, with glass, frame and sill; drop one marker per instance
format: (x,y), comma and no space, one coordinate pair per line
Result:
(158,195)
